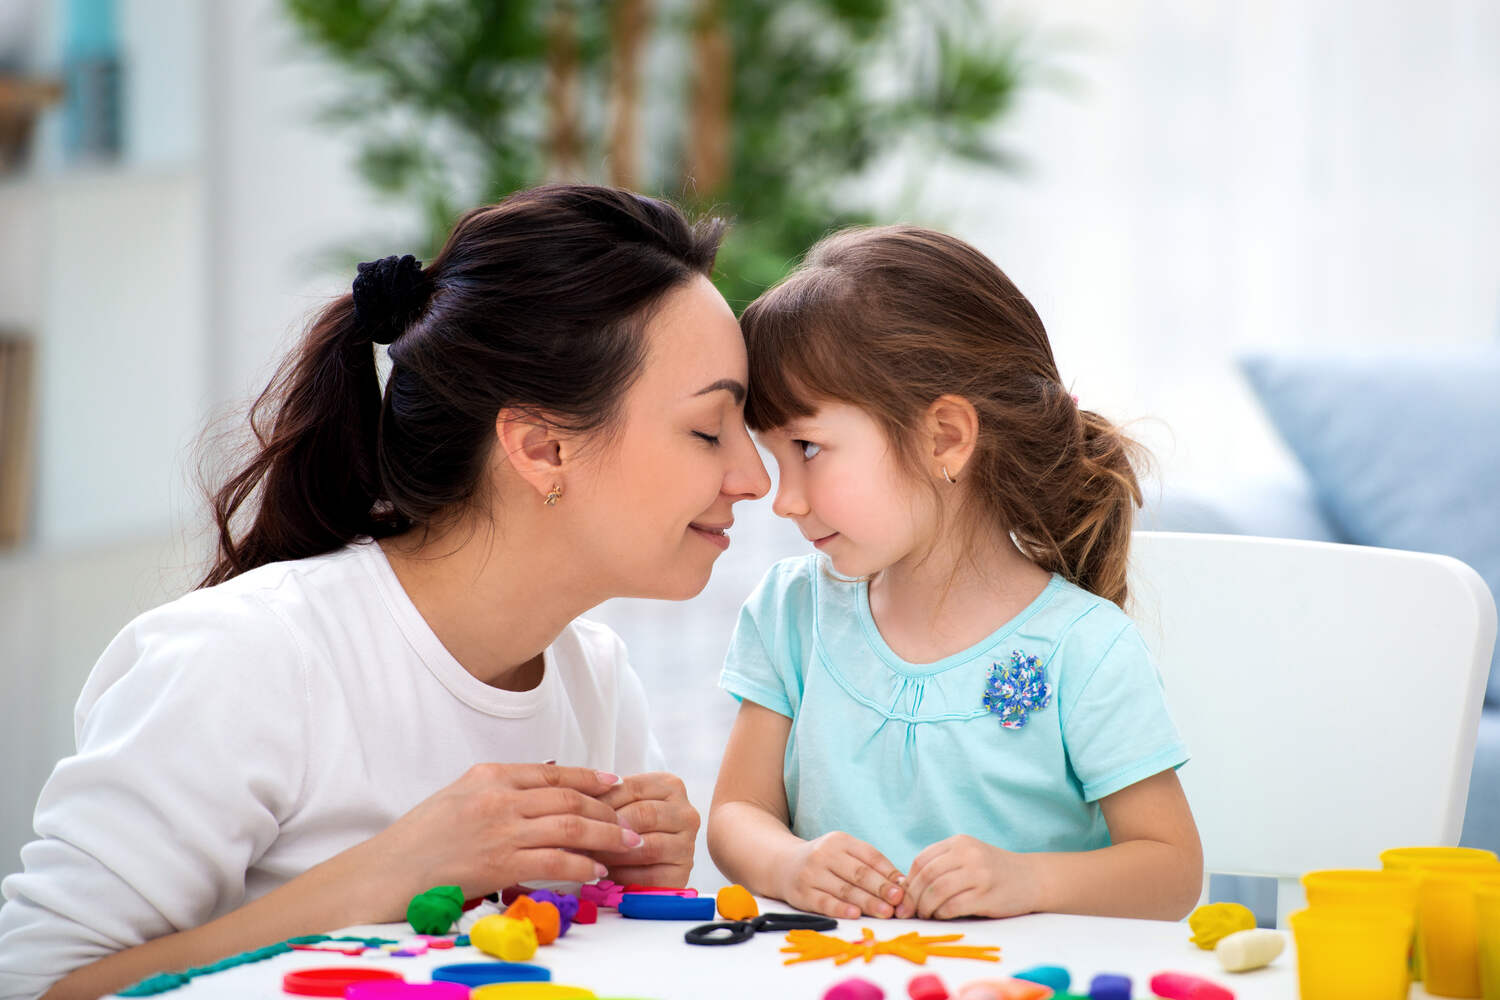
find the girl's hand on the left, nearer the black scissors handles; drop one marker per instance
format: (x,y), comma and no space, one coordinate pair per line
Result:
(841,876)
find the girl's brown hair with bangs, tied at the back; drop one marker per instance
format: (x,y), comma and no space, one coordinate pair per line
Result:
(892,319)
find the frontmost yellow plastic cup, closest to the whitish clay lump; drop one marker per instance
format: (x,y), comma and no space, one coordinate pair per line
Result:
(1349,953)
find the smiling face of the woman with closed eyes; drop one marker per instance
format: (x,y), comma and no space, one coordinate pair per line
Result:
(661,494)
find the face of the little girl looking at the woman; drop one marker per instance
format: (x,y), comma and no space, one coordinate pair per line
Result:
(839,481)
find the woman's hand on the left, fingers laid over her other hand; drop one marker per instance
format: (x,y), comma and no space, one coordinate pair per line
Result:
(496,827)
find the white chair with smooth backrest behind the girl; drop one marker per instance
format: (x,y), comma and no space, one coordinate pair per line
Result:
(1330,695)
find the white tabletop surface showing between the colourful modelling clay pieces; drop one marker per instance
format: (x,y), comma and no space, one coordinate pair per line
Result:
(620,957)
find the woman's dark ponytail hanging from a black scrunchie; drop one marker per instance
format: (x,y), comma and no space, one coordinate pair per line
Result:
(316,473)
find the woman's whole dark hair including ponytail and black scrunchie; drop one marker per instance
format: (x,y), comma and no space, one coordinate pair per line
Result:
(533,304)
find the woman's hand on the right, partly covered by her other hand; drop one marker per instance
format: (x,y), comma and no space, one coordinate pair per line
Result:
(656,807)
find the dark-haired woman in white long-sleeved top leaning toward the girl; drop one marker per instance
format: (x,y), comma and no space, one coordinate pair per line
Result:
(367,696)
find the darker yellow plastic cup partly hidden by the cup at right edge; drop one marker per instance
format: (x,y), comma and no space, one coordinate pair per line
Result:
(1450,938)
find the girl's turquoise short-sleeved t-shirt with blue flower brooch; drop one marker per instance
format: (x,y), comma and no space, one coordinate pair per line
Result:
(905,755)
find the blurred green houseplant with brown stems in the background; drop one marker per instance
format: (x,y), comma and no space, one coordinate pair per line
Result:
(767,113)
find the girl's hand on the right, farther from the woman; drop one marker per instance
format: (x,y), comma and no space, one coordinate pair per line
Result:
(964,876)
